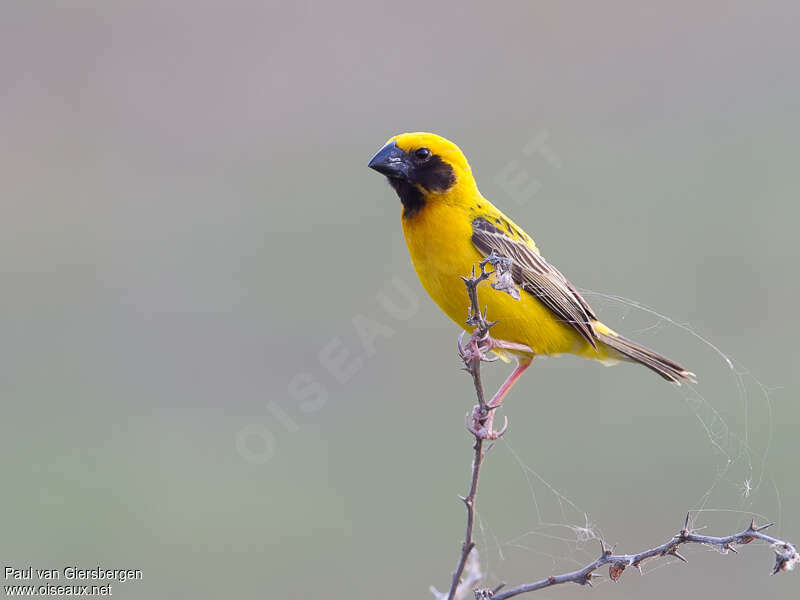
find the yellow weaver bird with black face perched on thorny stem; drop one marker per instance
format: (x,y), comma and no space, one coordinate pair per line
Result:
(449,227)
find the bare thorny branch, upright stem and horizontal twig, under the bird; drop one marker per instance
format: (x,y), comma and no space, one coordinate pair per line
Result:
(786,555)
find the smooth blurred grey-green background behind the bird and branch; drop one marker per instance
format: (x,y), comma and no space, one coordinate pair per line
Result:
(191,240)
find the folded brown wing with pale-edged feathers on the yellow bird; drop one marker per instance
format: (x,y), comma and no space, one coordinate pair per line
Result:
(537,277)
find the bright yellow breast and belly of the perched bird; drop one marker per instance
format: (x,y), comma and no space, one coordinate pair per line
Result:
(441,250)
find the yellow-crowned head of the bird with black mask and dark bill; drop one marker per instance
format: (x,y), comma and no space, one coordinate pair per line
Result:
(421,167)
